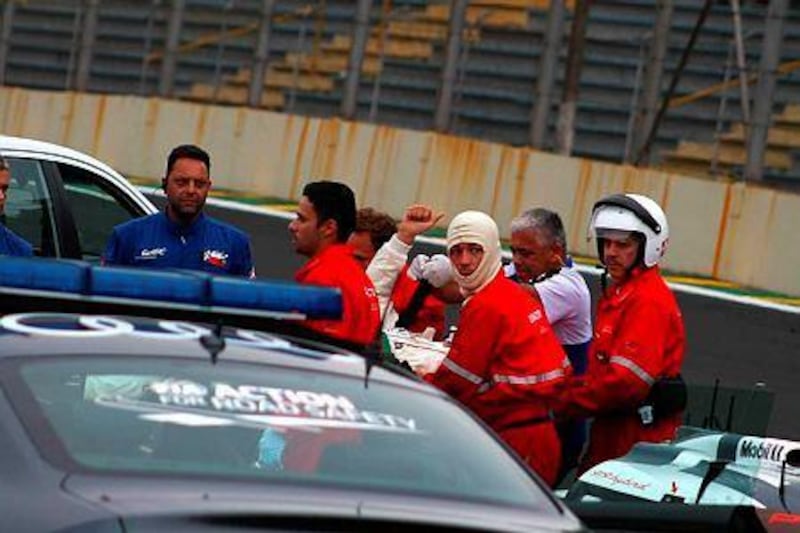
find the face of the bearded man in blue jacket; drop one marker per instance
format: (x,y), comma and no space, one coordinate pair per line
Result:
(187,186)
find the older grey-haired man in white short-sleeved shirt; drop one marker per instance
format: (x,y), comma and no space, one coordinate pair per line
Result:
(543,267)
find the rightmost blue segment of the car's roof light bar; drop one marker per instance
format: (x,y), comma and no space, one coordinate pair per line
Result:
(276,296)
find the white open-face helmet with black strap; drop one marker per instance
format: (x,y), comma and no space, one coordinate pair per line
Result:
(632,213)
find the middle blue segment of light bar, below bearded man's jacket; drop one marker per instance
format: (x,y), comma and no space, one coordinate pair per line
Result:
(148,284)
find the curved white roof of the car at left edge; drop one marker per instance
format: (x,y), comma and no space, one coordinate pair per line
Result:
(32,148)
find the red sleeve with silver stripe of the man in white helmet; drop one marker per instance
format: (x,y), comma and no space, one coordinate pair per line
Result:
(622,369)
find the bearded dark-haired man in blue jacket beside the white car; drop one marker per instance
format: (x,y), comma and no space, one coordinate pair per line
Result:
(182,236)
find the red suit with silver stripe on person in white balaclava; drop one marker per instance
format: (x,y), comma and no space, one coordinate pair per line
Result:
(505,364)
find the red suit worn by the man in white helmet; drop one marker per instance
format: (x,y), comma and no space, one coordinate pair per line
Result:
(638,338)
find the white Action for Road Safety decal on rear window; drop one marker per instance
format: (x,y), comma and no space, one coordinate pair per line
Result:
(188,403)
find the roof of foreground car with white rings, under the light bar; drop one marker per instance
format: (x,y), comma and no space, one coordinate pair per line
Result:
(38,335)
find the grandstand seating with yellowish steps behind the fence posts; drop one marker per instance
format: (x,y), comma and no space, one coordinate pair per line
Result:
(311,42)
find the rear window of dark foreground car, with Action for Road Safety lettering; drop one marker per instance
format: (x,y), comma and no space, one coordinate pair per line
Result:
(170,416)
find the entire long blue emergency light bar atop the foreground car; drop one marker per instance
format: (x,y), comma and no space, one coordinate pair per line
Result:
(179,289)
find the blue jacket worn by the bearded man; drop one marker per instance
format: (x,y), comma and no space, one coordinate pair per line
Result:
(155,241)
